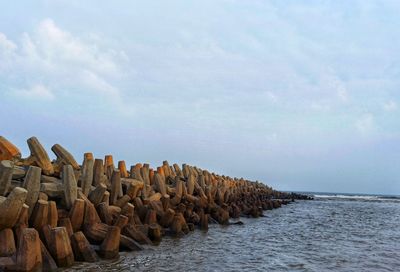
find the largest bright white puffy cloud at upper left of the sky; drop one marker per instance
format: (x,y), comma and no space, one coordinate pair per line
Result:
(51,56)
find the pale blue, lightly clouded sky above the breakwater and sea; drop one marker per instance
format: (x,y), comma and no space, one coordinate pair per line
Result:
(301,95)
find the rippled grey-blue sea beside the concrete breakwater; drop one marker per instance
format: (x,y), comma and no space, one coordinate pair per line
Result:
(333,232)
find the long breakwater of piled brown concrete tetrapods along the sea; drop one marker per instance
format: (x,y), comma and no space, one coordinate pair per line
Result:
(53,213)
